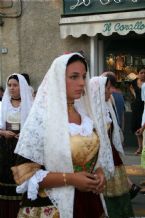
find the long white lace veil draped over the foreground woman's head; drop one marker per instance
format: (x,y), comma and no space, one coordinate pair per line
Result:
(45,136)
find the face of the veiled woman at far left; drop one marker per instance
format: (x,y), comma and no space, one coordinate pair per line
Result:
(14,89)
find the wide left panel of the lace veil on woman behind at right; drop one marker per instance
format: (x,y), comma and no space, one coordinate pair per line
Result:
(97,93)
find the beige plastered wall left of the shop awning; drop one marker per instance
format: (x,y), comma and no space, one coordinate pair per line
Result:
(33,40)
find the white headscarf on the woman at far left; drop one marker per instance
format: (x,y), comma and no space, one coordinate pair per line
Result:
(26,101)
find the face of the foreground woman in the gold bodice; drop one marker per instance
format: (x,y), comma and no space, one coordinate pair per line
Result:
(75,80)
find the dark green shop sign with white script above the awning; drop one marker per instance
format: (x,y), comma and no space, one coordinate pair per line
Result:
(82,7)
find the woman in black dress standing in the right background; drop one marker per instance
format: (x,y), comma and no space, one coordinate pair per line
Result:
(137,106)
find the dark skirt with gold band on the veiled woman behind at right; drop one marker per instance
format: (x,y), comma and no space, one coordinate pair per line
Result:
(118,204)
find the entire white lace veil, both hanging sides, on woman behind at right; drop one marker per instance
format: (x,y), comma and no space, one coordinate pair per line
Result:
(99,108)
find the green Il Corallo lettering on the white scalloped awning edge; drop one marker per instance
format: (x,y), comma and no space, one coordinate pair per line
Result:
(136,26)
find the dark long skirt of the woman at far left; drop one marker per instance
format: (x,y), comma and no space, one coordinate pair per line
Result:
(9,199)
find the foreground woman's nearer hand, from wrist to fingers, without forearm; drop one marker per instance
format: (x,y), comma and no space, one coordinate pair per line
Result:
(84,181)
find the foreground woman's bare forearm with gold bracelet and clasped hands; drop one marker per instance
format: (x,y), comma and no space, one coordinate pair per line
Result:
(82,181)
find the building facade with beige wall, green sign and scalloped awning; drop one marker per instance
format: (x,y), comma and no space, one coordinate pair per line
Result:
(32,33)
